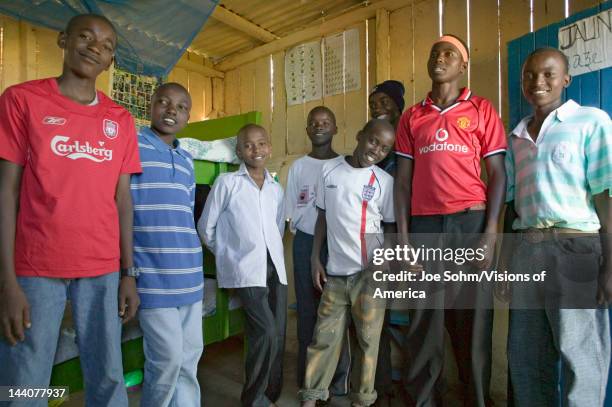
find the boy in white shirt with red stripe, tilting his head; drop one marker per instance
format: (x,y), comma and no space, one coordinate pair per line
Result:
(354,198)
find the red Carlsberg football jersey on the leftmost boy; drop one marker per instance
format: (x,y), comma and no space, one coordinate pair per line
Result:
(72,156)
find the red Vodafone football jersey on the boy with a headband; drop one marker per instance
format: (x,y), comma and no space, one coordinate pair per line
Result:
(447,146)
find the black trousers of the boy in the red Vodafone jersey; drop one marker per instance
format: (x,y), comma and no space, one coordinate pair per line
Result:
(470,330)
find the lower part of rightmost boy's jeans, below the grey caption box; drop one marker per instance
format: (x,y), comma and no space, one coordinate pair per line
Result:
(539,338)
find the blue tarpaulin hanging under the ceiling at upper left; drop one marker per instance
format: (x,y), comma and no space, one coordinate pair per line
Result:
(153,34)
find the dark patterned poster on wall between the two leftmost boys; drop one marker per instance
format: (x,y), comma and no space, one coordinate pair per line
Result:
(134,92)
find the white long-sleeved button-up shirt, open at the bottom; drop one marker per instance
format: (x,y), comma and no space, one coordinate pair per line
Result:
(240,224)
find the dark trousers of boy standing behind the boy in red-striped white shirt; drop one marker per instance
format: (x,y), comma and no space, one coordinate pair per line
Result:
(307,304)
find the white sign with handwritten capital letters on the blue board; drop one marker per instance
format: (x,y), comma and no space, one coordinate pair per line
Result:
(588,43)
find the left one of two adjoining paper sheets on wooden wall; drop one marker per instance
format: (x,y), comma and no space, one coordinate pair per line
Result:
(303,73)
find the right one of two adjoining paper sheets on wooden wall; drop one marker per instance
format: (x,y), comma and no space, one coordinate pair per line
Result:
(342,62)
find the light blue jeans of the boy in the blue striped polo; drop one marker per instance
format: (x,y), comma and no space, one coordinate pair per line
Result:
(173,345)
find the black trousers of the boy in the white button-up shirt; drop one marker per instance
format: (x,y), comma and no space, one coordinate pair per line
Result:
(265,311)
